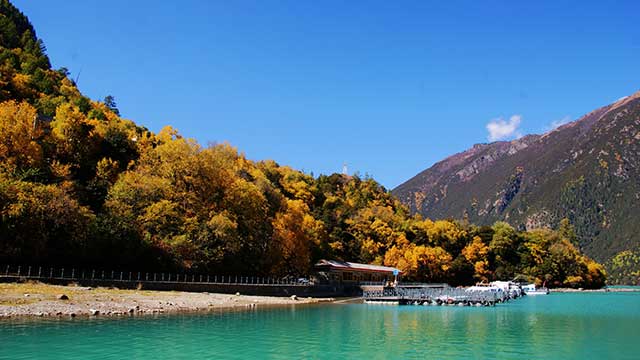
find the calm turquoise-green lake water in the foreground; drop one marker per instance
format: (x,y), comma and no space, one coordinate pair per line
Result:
(556,326)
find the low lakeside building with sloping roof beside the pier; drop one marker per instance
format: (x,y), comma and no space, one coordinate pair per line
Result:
(348,272)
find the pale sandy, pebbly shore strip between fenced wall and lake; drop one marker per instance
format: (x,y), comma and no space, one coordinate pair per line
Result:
(37,299)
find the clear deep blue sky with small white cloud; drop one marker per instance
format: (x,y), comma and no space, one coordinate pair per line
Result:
(389,87)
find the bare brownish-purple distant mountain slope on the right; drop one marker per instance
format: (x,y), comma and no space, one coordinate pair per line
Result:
(587,171)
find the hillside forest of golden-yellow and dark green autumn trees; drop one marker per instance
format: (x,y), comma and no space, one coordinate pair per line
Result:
(80,185)
